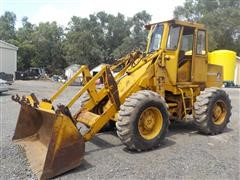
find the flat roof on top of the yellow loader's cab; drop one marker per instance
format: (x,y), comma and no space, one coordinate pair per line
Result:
(178,22)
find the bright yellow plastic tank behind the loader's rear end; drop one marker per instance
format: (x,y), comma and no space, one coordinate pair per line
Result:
(225,58)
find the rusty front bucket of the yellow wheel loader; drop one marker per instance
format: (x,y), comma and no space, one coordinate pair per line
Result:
(52,143)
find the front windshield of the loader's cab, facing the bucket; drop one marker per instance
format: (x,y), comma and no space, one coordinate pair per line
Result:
(156,38)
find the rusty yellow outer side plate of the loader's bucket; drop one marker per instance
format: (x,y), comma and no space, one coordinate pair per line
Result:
(66,148)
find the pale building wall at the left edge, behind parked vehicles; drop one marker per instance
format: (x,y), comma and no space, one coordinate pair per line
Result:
(8,58)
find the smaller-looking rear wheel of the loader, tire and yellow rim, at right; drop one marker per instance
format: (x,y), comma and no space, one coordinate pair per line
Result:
(212,111)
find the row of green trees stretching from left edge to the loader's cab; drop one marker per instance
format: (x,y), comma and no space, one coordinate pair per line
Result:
(100,38)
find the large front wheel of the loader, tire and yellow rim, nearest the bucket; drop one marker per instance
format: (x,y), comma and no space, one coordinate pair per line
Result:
(143,120)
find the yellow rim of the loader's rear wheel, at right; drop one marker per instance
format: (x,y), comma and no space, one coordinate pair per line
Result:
(219,112)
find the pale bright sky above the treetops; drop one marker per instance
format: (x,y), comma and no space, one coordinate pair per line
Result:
(61,11)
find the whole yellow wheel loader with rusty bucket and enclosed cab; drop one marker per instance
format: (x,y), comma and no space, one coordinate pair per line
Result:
(171,81)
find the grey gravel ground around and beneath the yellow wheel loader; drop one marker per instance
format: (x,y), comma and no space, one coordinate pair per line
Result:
(184,154)
